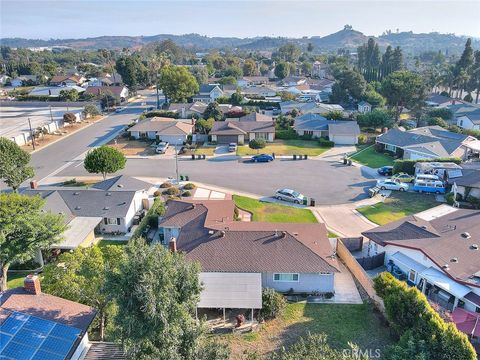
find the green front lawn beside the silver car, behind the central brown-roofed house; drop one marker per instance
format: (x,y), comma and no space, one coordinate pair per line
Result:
(267,212)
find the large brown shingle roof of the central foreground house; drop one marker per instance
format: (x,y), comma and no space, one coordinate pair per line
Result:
(209,235)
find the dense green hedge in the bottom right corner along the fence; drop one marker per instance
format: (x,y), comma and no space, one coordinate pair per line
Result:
(415,321)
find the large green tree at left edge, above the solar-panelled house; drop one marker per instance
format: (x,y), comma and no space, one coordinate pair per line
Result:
(24,230)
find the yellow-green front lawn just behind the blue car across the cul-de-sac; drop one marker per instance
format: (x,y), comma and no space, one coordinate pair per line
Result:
(286,147)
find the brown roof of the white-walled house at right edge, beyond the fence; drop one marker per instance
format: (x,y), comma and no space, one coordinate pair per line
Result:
(441,239)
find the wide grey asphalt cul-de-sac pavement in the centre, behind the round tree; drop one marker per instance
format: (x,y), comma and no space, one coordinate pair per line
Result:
(328,182)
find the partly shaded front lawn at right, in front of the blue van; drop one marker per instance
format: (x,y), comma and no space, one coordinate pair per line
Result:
(397,206)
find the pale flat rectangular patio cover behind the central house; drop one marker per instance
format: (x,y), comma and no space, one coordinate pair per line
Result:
(231,290)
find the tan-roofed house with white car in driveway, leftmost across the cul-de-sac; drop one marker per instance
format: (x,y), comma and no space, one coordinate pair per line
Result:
(165,129)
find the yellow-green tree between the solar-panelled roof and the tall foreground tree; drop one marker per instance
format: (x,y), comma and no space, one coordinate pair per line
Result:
(81,276)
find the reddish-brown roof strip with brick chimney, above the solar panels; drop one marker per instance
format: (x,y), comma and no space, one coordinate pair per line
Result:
(47,307)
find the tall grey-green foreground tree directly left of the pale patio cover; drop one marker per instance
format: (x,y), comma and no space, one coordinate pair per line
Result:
(157,292)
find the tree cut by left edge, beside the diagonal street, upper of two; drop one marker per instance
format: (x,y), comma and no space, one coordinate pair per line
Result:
(14,169)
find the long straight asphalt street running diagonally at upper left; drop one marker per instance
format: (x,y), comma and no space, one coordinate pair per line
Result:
(57,155)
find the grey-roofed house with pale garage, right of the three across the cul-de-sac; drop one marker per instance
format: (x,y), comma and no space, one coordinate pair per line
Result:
(317,126)
